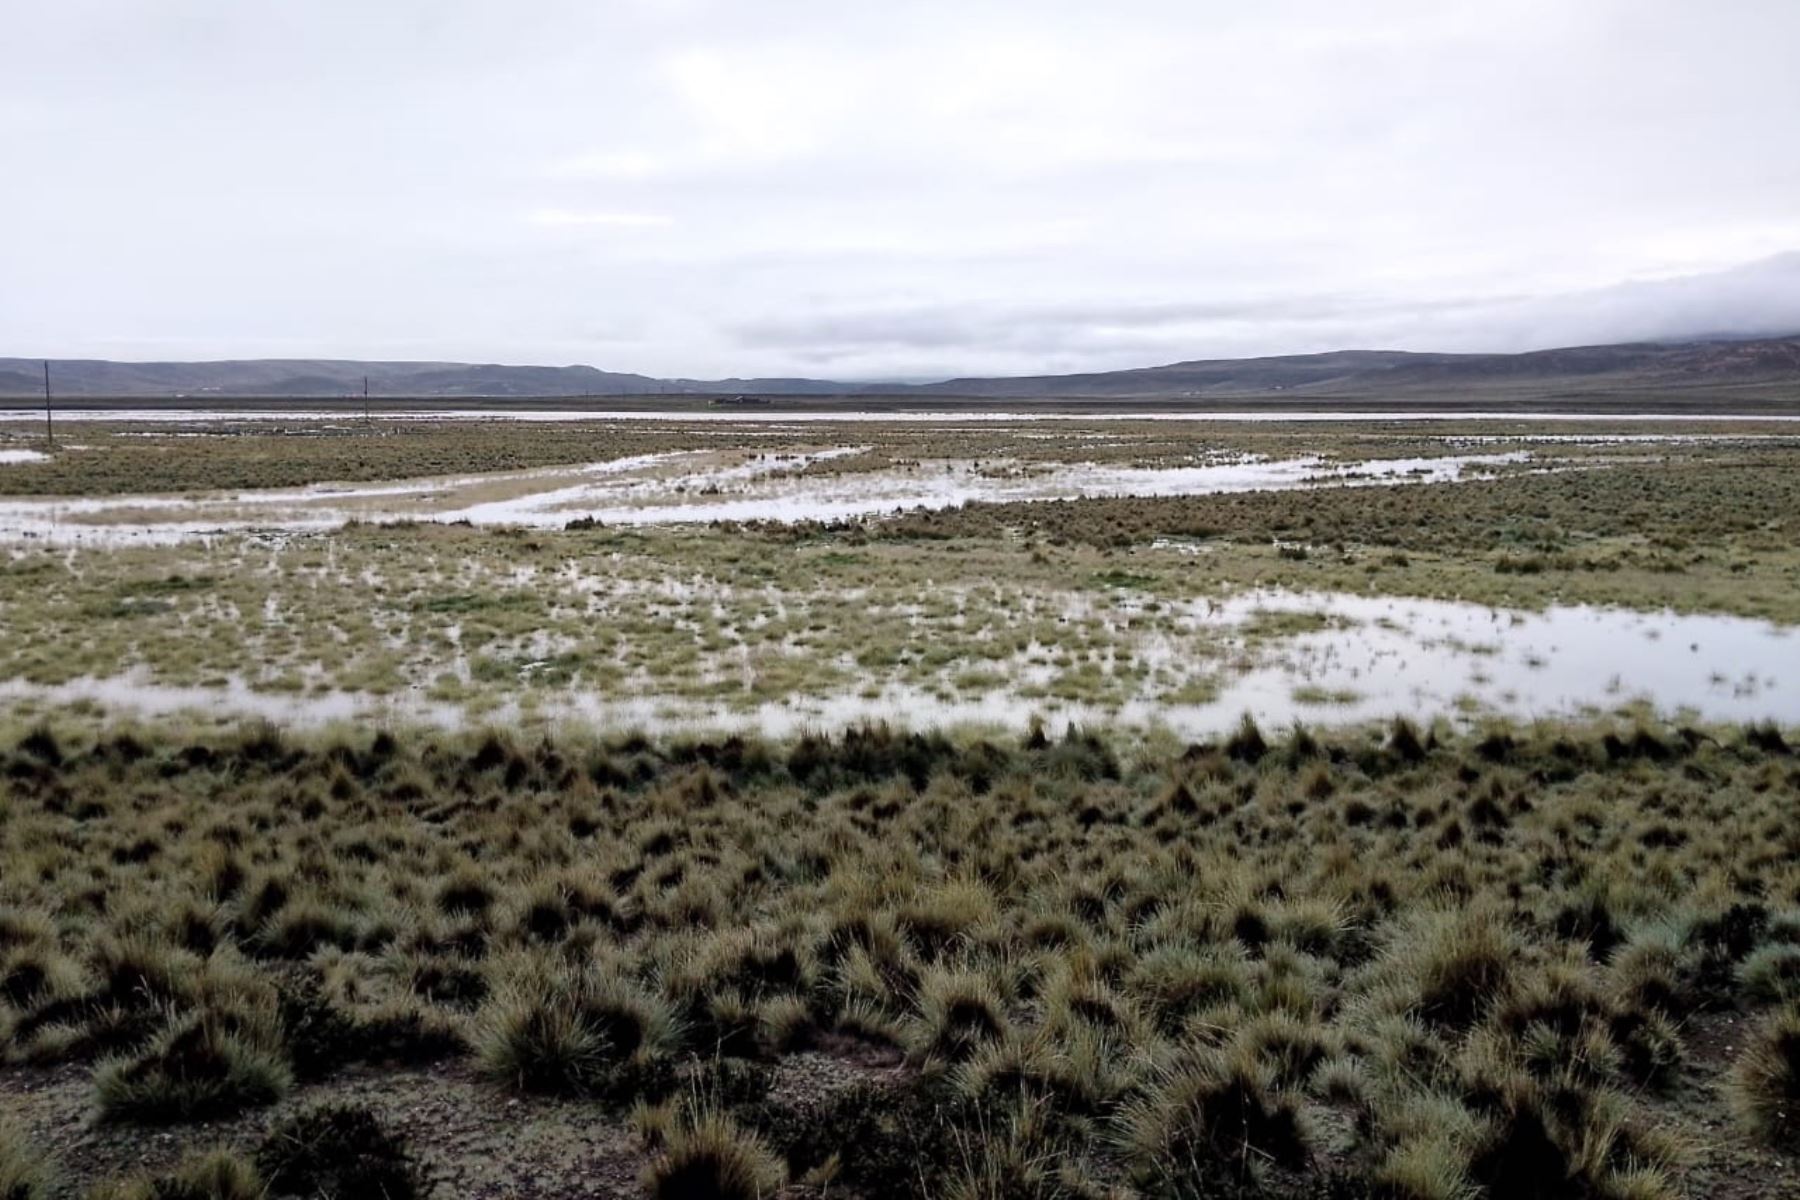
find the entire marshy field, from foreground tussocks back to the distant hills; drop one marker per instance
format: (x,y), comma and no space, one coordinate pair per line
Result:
(899,805)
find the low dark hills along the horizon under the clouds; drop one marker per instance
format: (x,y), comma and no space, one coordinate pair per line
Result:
(1587,370)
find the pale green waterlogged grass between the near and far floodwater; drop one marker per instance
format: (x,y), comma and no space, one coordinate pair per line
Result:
(1084,607)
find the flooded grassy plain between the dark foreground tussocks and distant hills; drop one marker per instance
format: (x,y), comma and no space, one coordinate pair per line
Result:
(741,578)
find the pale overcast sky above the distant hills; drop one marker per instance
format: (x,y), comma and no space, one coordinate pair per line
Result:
(890,190)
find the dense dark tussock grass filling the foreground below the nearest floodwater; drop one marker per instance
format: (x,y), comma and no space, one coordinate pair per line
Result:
(1057,963)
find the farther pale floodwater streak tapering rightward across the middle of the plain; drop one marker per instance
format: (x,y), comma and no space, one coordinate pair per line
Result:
(694,487)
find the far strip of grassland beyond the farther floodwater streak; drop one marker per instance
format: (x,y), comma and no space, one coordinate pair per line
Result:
(103,458)
